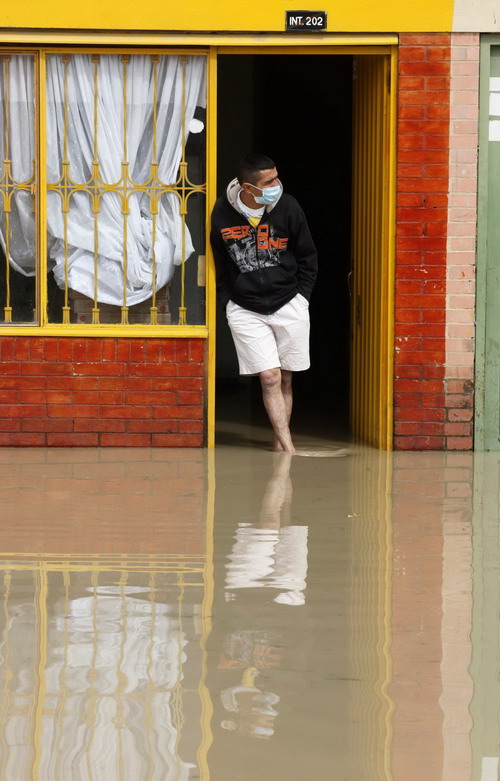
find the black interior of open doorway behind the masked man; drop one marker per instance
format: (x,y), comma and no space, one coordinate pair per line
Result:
(298,110)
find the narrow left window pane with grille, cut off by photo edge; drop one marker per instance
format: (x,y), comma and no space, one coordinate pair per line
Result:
(18,251)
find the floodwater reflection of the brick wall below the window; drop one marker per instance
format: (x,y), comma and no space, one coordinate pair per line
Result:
(128,502)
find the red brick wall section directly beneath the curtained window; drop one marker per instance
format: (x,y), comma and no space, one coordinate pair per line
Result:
(65,391)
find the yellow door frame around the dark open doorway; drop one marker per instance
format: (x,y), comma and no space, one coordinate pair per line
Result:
(386,45)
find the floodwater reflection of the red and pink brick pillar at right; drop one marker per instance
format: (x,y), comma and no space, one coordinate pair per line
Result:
(431,617)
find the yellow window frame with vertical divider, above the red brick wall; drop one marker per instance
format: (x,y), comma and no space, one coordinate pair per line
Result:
(44,327)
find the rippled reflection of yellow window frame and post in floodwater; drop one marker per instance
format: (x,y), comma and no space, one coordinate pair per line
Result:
(198,565)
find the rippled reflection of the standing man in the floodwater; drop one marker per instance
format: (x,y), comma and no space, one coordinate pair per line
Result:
(272,555)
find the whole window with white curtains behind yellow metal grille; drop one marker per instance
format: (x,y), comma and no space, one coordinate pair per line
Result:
(119,237)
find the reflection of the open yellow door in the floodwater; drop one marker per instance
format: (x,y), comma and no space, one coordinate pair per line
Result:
(372,568)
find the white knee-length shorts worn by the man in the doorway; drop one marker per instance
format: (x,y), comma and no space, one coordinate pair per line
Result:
(280,340)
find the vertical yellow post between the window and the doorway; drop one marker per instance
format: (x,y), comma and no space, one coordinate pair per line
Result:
(210,201)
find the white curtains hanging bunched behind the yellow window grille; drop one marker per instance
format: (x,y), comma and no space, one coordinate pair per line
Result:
(110,141)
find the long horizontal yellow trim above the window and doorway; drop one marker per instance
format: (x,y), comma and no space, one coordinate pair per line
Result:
(55,37)
